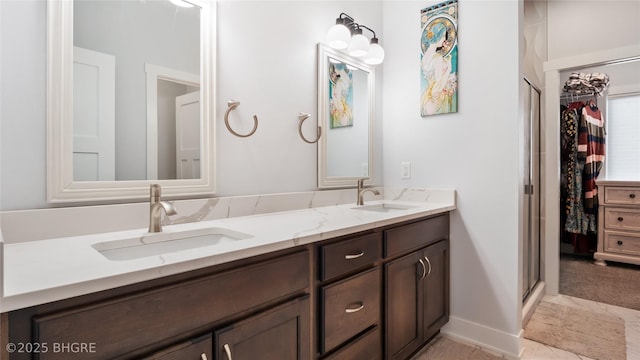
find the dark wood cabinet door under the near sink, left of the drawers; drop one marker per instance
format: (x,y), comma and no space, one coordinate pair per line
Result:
(282,333)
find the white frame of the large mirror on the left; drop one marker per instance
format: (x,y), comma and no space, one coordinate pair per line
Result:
(60,185)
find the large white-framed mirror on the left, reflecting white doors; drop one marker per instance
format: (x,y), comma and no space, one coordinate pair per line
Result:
(130,99)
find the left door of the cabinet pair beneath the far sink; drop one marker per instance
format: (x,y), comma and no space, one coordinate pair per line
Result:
(403,293)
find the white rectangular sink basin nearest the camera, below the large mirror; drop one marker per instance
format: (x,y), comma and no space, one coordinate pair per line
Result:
(166,242)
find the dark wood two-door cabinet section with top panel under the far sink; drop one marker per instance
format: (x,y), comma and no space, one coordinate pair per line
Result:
(416,287)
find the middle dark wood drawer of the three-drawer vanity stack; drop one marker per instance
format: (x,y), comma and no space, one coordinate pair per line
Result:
(349,307)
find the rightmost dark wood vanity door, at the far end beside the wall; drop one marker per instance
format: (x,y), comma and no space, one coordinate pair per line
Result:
(436,288)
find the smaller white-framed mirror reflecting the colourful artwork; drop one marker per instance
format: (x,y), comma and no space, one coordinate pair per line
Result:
(346,112)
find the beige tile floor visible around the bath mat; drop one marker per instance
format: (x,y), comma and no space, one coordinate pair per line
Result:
(537,351)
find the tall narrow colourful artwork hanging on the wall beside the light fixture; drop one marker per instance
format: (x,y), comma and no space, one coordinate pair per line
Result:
(439,59)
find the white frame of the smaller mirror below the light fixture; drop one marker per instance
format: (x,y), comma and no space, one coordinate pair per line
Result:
(324,180)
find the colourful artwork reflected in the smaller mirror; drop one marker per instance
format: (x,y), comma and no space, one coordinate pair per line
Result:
(340,95)
